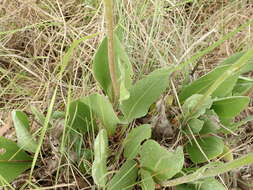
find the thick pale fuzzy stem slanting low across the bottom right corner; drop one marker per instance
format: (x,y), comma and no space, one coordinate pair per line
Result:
(206,172)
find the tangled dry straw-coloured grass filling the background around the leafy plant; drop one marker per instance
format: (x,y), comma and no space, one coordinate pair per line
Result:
(35,34)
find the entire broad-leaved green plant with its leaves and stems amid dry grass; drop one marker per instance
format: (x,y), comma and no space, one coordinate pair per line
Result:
(208,107)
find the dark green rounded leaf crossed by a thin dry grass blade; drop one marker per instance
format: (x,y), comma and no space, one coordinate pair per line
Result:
(212,147)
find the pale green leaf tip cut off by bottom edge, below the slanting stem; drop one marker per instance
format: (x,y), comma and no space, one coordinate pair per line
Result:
(211,184)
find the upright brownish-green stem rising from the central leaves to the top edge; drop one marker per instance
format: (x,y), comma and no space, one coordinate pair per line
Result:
(109,20)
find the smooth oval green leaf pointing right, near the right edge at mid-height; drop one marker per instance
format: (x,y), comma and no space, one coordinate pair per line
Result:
(230,107)
